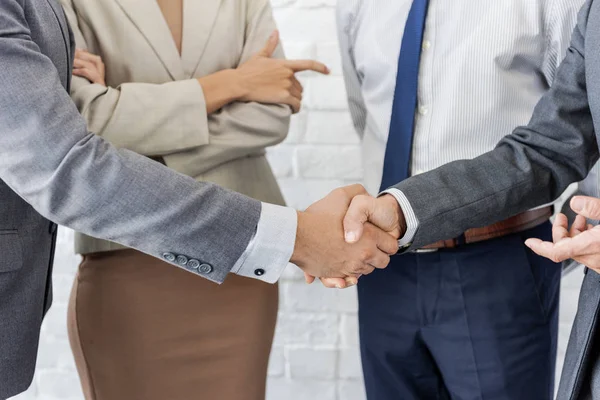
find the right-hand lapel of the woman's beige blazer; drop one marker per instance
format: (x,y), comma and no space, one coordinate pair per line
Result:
(198,20)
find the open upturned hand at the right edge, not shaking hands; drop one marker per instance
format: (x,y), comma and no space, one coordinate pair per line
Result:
(581,242)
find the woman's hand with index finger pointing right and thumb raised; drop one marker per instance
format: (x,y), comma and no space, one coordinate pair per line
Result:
(268,80)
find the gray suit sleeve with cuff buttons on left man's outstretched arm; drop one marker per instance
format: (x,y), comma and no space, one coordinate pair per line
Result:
(75,178)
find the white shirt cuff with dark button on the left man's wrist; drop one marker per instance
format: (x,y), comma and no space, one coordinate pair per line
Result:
(271,248)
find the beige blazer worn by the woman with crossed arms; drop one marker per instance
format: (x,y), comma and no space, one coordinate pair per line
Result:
(153,104)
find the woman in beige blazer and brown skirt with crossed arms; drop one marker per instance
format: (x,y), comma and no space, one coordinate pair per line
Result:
(192,84)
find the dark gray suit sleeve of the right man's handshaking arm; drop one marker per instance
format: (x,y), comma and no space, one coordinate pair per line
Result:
(530,167)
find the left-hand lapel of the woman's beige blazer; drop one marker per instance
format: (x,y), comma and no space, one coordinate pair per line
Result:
(148,18)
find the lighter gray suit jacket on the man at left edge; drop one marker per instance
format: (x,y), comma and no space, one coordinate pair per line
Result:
(52,167)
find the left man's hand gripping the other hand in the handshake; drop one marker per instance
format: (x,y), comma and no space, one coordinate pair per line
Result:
(320,248)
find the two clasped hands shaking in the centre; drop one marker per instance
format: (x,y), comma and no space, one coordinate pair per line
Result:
(347,234)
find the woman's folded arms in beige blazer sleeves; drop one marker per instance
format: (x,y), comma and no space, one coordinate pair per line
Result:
(220,108)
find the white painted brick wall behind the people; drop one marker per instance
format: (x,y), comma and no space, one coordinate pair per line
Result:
(315,355)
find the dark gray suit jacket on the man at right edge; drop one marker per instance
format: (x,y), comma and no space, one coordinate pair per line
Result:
(530,167)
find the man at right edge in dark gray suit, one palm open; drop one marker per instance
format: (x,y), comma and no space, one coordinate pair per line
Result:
(528,168)
